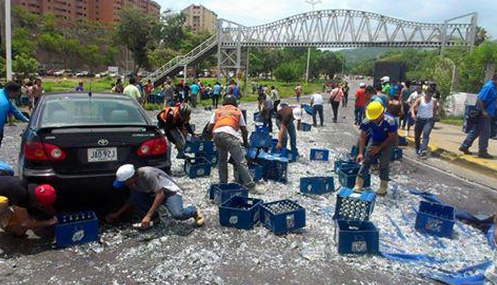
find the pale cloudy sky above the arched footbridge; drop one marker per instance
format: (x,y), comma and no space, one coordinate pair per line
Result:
(256,12)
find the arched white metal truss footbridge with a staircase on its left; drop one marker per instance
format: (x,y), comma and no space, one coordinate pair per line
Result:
(323,29)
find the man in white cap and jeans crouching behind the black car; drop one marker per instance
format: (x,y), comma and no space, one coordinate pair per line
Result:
(151,187)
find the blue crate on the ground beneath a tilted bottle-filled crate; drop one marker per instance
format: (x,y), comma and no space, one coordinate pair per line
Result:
(356,237)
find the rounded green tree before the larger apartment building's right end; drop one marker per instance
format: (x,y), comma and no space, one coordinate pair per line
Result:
(139,34)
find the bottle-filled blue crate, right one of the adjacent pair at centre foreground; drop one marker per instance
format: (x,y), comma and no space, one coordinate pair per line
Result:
(282,216)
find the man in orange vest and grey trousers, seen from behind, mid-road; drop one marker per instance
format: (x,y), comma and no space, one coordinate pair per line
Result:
(225,123)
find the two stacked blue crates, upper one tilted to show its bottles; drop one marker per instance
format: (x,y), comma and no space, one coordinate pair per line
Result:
(354,233)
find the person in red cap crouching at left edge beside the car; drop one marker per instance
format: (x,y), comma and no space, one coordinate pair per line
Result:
(26,206)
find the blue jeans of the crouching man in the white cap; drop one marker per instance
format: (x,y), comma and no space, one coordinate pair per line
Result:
(174,204)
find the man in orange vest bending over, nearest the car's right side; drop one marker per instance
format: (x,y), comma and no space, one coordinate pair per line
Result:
(175,121)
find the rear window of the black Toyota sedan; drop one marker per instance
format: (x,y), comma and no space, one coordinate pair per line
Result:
(77,110)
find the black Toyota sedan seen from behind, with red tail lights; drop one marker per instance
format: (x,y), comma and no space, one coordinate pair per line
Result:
(76,141)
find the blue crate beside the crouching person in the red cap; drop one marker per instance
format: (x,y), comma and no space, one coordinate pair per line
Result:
(76,228)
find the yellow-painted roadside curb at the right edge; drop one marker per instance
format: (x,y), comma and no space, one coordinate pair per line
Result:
(487,167)
